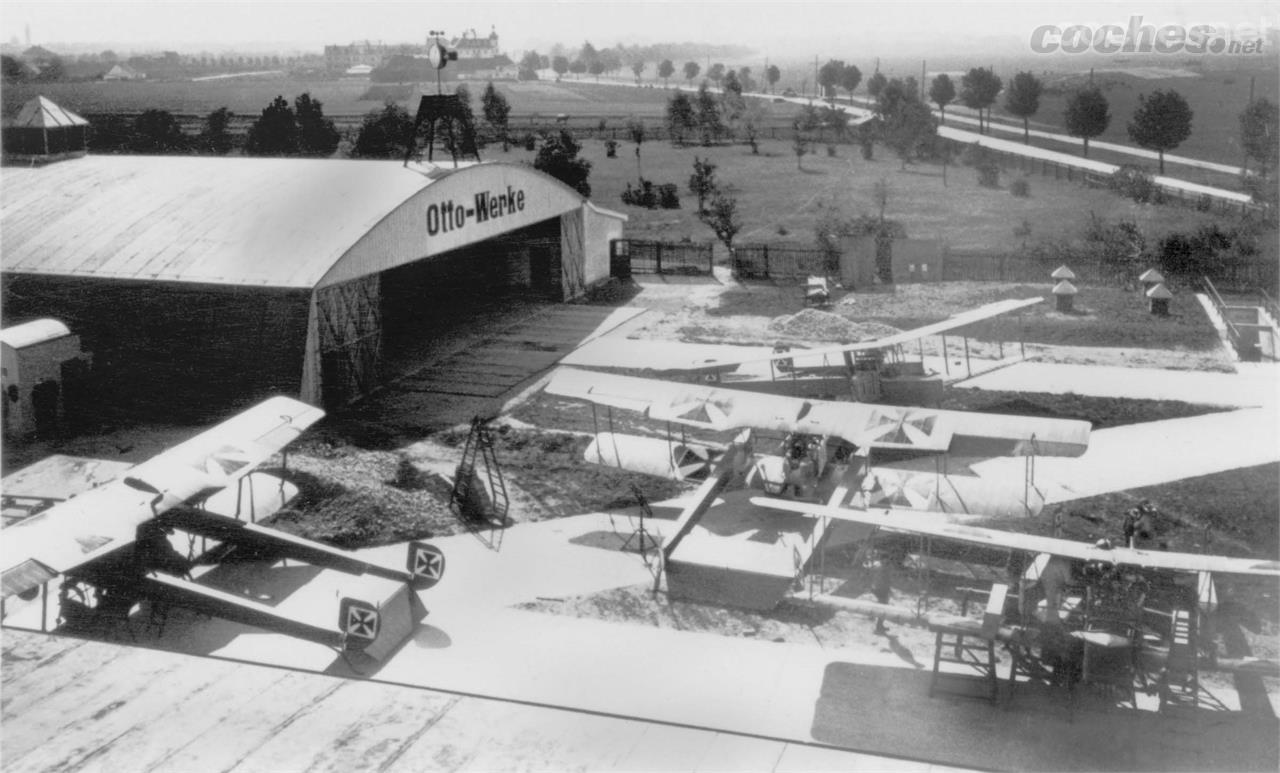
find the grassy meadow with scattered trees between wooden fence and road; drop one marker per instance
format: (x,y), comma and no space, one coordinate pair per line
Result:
(779,202)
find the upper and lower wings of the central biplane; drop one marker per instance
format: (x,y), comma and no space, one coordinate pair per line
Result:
(927,451)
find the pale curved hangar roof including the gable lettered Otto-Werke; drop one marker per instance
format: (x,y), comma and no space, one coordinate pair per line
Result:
(286,223)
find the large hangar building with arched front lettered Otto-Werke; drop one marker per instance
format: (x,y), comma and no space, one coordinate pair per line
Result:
(222,280)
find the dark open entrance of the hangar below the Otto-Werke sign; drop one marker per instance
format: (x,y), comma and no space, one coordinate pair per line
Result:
(431,301)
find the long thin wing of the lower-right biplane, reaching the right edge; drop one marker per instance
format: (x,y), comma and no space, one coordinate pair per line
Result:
(940,525)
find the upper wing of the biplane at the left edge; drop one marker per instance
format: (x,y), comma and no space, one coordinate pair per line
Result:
(106,519)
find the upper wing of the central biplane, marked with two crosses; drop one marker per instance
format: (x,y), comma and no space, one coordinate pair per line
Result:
(862,424)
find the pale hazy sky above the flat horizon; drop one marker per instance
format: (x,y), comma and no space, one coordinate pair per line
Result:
(775,28)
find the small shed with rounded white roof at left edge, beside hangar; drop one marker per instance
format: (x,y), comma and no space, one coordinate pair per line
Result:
(42,369)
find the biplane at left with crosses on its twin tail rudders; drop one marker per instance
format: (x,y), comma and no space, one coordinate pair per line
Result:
(112,547)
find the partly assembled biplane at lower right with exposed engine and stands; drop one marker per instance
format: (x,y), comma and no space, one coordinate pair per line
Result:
(1126,610)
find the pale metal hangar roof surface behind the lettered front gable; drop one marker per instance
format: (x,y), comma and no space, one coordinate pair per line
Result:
(255,222)
